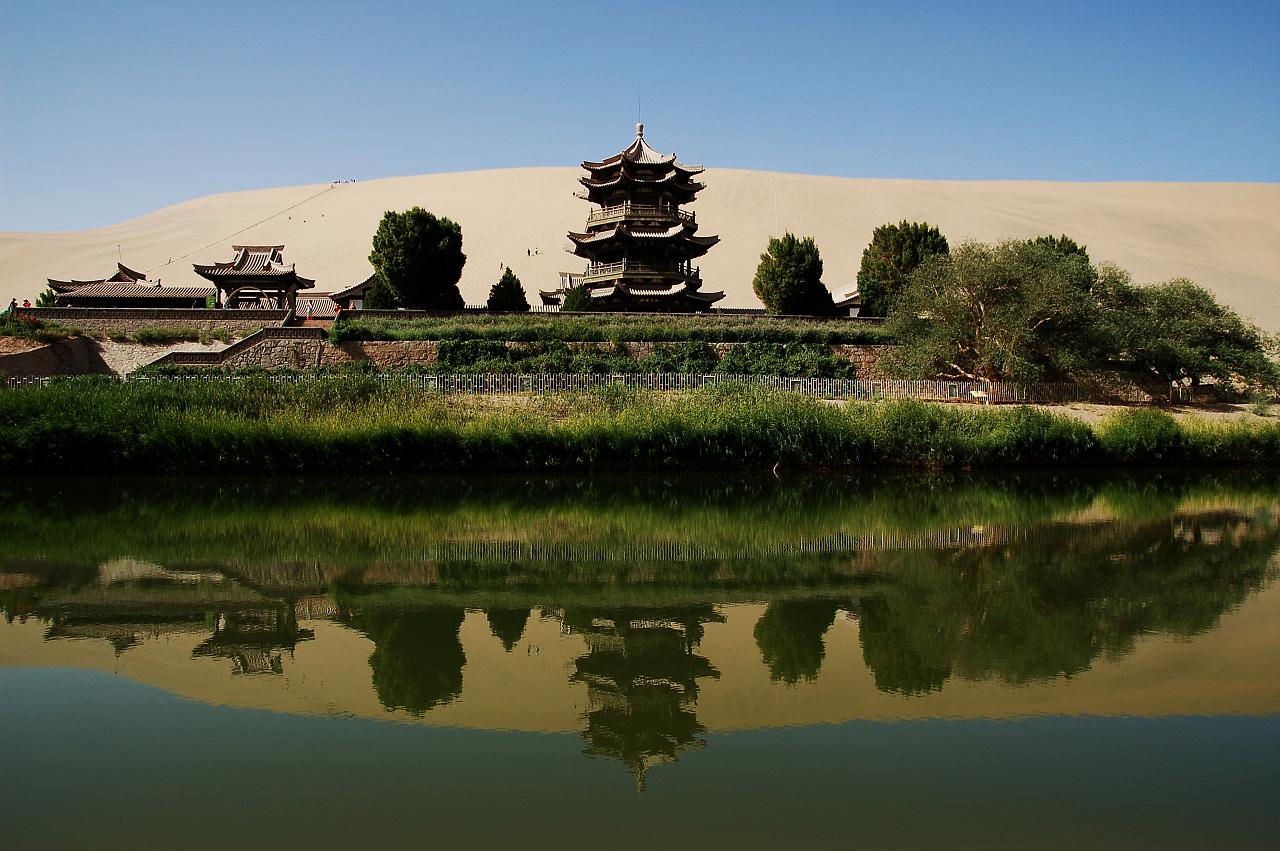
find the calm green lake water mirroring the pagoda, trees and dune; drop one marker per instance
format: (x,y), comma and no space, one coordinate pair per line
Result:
(829,662)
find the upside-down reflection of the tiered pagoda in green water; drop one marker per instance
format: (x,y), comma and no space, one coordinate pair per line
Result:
(642,683)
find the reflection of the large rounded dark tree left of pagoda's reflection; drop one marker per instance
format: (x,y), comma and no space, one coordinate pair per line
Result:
(418,657)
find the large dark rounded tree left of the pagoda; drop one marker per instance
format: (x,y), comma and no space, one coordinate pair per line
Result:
(419,260)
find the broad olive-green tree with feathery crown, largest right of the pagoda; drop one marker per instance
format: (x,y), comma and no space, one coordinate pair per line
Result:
(1014,312)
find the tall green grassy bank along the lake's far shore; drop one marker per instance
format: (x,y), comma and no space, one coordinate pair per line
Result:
(363,424)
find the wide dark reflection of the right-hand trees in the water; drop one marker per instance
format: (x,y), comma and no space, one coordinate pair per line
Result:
(1053,606)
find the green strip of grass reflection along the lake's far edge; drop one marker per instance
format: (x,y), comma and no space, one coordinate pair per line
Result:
(359,524)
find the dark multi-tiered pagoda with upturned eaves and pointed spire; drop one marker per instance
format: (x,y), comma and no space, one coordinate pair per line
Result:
(639,243)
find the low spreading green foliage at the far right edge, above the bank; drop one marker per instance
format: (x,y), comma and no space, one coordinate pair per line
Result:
(1180,332)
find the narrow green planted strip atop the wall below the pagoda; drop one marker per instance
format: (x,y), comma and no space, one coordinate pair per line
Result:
(541,328)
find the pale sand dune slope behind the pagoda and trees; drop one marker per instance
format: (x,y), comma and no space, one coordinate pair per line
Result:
(1223,236)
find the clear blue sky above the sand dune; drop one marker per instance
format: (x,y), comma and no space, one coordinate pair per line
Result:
(113,109)
